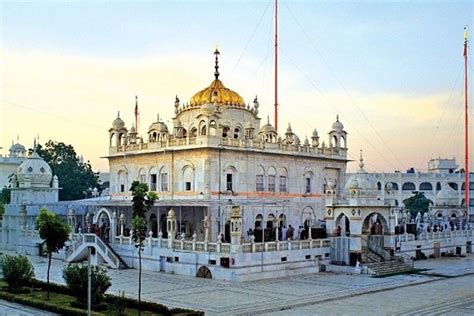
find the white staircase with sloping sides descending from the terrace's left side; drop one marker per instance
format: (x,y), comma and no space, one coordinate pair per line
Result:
(78,251)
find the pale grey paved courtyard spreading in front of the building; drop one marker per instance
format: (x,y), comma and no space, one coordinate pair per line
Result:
(309,294)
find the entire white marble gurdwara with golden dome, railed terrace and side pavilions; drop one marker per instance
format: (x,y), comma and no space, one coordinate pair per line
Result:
(237,200)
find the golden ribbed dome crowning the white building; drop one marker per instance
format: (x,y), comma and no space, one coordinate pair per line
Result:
(217,93)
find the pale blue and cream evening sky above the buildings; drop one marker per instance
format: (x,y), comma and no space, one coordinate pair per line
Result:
(391,70)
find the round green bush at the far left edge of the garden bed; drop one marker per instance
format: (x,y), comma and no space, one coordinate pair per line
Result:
(17,271)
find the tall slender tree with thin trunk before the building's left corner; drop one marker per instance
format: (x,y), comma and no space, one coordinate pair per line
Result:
(142,200)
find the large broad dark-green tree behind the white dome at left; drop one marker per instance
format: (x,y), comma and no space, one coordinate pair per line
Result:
(75,178)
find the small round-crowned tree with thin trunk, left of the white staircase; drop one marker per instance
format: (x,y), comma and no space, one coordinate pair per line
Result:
(54,231)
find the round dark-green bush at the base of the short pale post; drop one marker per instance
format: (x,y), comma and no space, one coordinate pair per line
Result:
(75,276)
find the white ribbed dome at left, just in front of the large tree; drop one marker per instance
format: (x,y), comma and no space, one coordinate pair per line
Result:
(35,170)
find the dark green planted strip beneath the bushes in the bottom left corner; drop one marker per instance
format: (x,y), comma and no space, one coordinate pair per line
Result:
(60,302)
